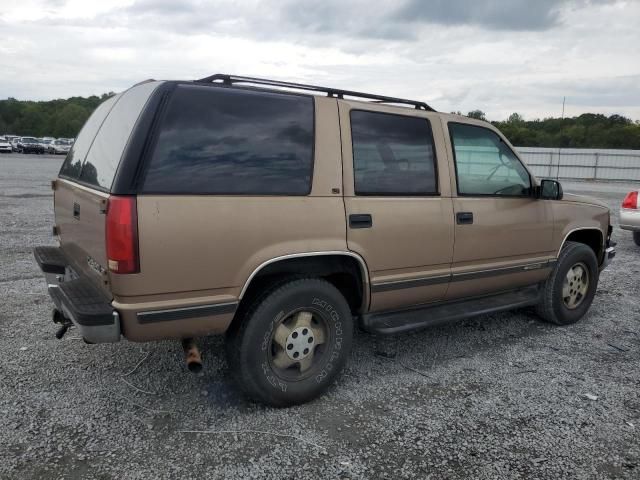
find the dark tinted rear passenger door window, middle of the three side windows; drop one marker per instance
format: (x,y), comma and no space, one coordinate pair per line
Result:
(392,154)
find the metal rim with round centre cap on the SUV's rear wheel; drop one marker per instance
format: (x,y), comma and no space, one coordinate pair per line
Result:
(297,344)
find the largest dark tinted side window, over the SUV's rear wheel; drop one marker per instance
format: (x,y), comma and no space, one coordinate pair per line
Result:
(226,141)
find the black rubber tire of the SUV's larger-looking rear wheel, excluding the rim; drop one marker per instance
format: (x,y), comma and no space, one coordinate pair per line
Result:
(249,343)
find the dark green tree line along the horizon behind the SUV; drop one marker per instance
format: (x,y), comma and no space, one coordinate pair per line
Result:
(64,118)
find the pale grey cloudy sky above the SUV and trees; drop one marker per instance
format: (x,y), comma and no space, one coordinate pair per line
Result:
(499,56)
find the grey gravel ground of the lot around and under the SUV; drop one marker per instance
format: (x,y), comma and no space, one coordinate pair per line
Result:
(501,396)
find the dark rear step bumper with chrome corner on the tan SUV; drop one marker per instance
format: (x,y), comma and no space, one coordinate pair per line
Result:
(78,298)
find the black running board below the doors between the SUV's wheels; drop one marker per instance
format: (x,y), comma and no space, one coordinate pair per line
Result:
(387,323)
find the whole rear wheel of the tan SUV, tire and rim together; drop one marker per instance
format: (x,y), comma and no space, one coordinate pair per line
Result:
(292,342)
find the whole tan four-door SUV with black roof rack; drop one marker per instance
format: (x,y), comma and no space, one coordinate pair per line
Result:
(283,214)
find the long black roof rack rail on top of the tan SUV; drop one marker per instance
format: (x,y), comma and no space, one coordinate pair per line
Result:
(331,92)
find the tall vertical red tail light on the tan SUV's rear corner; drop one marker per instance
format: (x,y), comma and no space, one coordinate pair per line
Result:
(122,235)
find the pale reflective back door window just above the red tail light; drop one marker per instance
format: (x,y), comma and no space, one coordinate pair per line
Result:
(106,151)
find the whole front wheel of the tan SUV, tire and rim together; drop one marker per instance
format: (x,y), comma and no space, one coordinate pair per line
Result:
(568,292)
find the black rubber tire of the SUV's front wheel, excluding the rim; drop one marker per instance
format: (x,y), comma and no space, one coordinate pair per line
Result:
(552,308)
